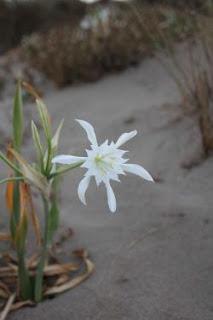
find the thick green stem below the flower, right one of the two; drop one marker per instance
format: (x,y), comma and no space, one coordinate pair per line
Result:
(44,253)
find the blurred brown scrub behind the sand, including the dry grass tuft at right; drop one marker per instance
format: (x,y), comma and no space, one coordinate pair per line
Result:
(57,43)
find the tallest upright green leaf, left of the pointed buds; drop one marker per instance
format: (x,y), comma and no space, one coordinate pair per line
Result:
(18,123)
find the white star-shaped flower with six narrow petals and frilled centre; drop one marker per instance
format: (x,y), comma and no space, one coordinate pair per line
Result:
(104,162)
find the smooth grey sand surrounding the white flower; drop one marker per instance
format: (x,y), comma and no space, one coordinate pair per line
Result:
(153,257)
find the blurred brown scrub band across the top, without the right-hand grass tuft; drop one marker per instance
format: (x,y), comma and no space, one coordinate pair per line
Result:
(86,39)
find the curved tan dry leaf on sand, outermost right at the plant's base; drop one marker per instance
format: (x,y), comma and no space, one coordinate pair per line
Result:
(73,282)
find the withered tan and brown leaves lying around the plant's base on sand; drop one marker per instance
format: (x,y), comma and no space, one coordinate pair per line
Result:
(58,277)
